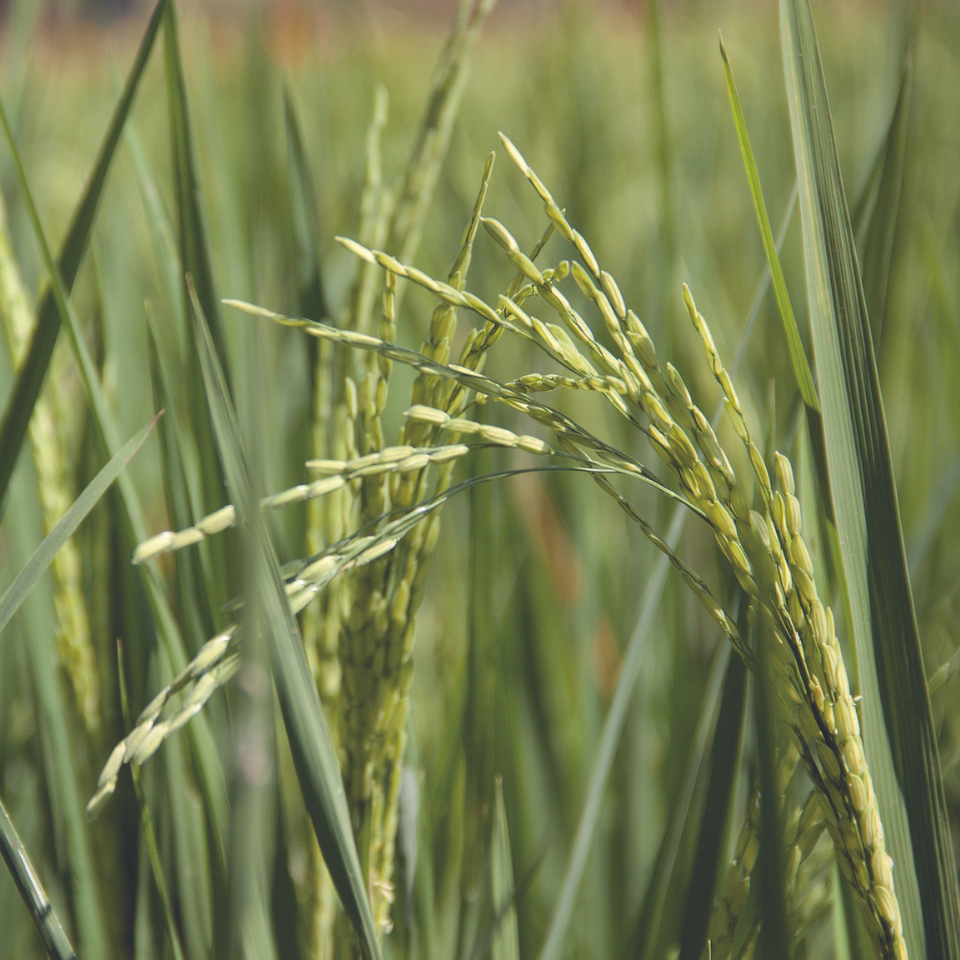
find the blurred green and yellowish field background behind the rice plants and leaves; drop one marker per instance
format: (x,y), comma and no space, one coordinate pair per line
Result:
(623,112)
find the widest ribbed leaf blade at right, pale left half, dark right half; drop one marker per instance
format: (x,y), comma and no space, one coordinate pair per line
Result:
(898,730)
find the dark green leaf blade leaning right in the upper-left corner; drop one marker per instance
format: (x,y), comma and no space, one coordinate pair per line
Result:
(34,369)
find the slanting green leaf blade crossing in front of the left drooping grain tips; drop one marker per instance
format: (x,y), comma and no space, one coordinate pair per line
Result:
(313,752)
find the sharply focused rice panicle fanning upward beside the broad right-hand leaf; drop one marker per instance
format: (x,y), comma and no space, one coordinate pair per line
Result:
(765,549)
